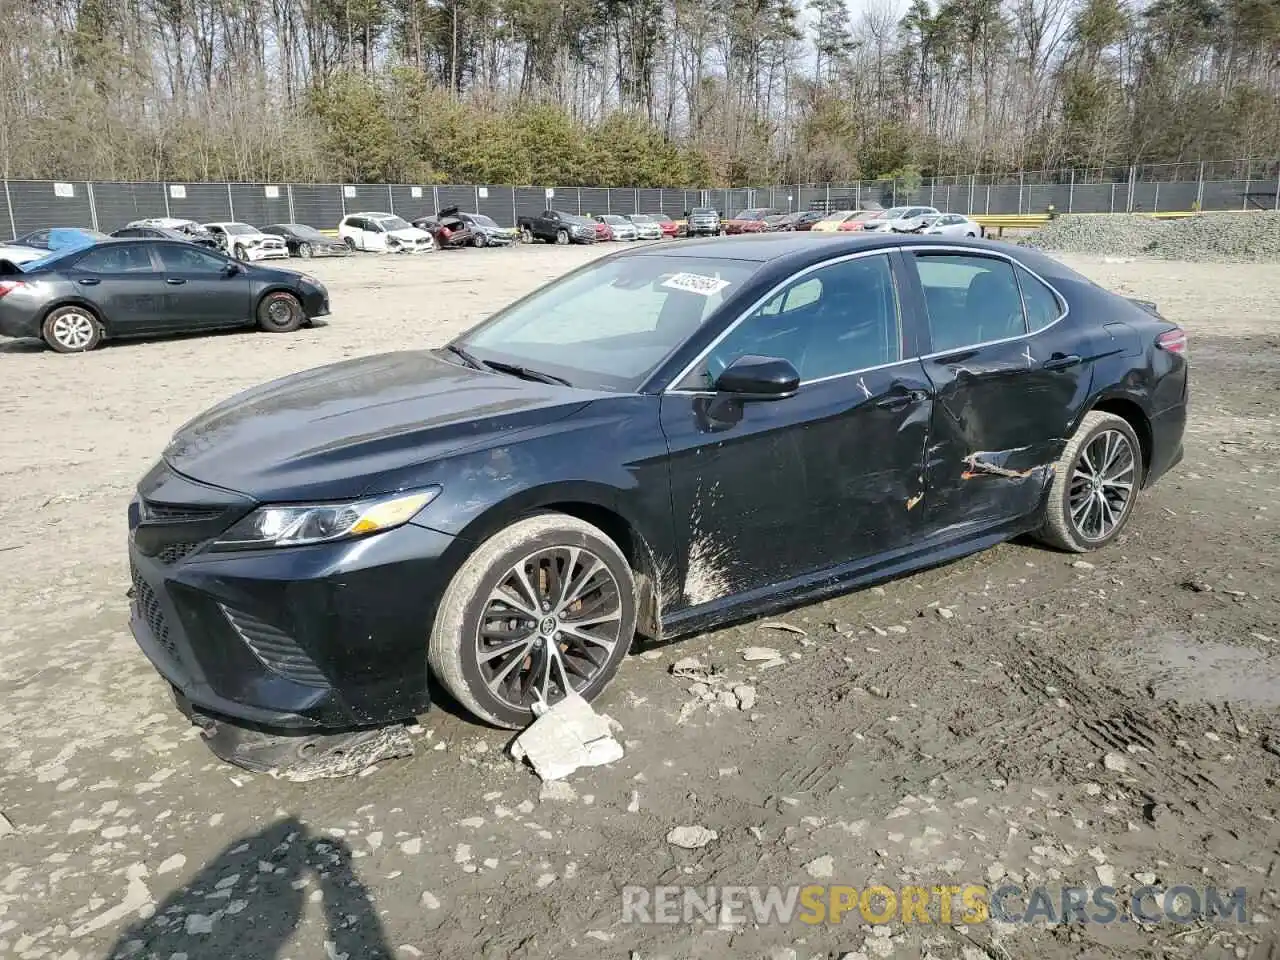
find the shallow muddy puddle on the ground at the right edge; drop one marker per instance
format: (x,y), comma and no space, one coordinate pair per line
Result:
(1182,669)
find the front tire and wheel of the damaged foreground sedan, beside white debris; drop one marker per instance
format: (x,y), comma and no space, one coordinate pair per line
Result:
(529,546)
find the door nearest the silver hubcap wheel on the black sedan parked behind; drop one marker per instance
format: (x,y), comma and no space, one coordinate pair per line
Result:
(124,282)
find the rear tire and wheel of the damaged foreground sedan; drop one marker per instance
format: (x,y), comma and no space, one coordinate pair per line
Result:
(1068,522)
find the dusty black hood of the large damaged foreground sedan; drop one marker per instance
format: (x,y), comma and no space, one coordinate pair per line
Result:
(353,428)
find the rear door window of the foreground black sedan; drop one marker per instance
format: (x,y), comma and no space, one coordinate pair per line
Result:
(971,299)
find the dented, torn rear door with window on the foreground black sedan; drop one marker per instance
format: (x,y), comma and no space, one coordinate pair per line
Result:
(1011,380)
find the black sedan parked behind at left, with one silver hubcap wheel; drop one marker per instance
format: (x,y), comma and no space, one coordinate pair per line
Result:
(75,300)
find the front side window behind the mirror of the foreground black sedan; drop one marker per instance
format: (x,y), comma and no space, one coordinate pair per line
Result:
(835,321)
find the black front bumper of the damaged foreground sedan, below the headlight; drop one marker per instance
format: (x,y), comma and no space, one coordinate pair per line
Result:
(312,638)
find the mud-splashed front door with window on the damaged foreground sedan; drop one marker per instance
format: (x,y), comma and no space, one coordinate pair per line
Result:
(769,491)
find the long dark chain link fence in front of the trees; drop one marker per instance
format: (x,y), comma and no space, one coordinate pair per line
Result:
(1210,186)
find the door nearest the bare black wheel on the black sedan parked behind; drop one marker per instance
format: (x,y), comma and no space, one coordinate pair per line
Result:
(202,294)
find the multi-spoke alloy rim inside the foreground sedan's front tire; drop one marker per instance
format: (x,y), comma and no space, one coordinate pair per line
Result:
(548,627)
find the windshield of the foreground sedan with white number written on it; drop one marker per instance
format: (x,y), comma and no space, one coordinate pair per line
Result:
(612,323)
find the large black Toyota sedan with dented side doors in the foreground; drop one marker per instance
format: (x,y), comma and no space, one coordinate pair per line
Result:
(660,442)
